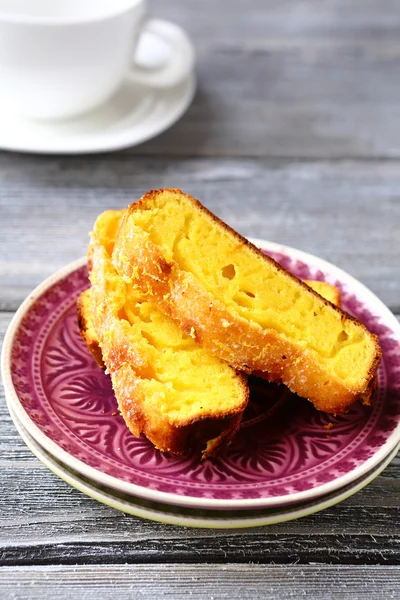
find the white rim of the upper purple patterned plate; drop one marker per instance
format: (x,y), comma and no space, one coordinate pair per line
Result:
(168,497)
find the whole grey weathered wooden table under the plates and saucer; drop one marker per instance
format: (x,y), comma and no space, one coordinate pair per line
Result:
(294,136)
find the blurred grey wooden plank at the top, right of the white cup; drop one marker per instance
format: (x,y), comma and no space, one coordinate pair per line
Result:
(293,79)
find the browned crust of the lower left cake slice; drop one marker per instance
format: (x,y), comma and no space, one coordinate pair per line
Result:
(207,432)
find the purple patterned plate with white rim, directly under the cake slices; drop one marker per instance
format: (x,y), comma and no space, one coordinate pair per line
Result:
(285,452)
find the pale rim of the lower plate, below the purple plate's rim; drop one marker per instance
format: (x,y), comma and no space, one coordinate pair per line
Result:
(290,513)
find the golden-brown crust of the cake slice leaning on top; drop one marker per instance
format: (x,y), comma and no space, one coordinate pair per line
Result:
(231,337)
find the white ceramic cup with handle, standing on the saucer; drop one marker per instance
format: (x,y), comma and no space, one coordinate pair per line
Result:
(61,58)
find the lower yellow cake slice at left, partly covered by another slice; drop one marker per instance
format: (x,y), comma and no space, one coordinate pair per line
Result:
(168,387)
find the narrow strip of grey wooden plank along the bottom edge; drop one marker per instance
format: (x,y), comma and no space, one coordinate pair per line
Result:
(200,582)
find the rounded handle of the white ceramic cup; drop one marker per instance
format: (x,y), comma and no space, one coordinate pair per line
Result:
(179,64)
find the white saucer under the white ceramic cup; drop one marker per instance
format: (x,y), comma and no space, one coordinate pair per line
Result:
(133,115)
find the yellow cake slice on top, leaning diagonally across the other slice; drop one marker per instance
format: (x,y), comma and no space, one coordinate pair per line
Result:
(240,304)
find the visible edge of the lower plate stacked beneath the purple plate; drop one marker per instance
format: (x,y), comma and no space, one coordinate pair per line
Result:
(187,517)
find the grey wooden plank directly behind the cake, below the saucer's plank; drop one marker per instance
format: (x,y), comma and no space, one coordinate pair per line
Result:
(347,212)
